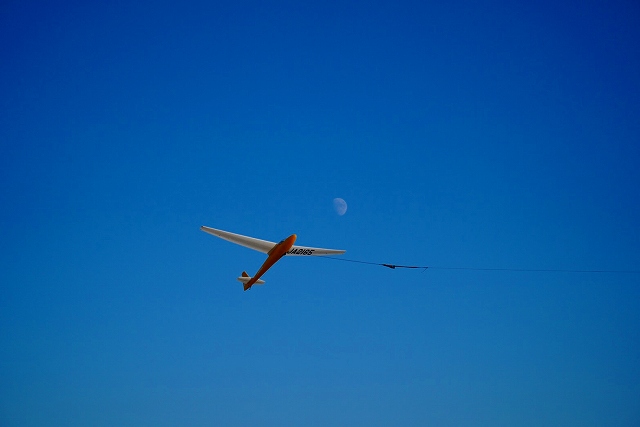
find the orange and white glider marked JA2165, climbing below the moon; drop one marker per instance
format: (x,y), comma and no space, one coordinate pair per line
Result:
(274,251)
